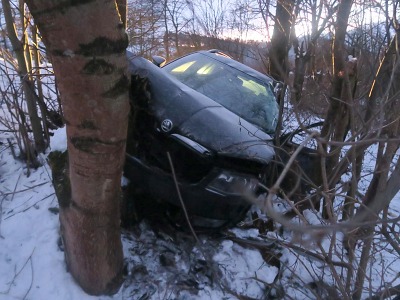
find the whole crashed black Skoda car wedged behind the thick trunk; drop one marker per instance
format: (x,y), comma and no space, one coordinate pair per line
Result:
(201,132)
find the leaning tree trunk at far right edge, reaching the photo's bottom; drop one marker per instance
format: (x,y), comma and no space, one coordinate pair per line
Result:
(385,183)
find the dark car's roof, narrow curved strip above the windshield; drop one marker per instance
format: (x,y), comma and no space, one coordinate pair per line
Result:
(226,59)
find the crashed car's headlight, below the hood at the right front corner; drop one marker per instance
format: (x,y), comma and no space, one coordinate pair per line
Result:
(232,183)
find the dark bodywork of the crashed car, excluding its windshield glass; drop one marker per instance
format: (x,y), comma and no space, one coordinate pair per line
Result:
(179,137)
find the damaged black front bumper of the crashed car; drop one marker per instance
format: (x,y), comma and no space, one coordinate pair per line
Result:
(199,198)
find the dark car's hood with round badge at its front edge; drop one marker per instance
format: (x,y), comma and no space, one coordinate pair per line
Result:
(179,109)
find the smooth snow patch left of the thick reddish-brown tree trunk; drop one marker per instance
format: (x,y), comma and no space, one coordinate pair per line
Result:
(32,266)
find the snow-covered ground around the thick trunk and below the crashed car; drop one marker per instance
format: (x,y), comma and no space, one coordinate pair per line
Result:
(162,262)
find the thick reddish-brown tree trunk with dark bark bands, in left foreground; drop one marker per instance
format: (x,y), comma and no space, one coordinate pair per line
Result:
(87,42)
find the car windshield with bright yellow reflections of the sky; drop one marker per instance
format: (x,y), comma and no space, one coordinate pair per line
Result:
(246,96)
